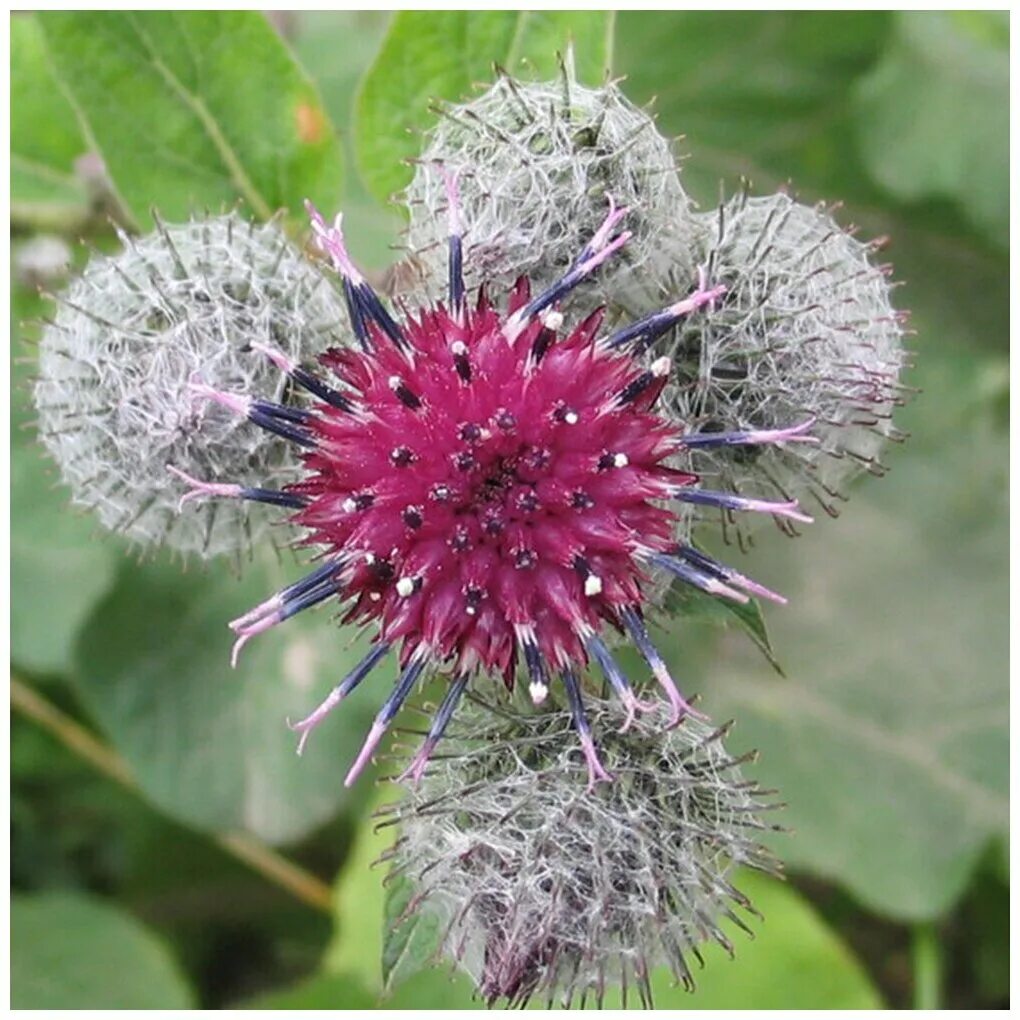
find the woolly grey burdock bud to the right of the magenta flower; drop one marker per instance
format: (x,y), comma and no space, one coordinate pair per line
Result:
(806,330)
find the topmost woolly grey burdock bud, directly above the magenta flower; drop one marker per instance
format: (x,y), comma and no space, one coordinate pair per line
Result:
(538,163)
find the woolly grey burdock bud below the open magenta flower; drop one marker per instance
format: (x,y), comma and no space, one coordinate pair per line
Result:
(541,888)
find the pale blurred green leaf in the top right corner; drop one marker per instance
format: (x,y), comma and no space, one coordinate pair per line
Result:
(934,116)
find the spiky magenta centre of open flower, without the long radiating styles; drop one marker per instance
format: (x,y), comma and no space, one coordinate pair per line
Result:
(487,493)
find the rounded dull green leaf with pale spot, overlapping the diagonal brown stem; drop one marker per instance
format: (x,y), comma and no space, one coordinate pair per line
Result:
(209,745)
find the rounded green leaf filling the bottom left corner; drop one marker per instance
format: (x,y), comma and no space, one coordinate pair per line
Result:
(70,952)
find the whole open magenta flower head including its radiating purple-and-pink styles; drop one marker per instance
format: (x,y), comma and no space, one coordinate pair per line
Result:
(490,489)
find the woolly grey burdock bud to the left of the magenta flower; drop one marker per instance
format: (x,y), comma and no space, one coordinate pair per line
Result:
(129,335)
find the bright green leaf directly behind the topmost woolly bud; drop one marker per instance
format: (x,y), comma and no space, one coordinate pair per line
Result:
(430,56)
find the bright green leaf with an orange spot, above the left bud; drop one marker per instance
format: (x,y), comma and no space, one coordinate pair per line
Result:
(196,109)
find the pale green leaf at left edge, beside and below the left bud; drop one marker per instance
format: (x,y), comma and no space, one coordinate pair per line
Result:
(61,567)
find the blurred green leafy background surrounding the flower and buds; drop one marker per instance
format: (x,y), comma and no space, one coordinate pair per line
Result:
(170,849)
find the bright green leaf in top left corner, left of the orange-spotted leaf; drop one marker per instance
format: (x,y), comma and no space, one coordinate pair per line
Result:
(46,139)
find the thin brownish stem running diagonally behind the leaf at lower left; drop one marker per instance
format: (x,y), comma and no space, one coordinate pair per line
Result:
(278,870)
